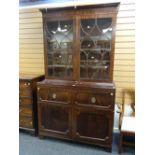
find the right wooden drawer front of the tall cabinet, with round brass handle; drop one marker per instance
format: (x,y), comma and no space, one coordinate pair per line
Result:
(104,99)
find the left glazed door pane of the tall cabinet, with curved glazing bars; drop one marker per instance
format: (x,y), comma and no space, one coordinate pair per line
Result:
(59,47)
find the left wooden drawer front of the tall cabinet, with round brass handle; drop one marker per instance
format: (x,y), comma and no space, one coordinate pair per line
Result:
(54,94)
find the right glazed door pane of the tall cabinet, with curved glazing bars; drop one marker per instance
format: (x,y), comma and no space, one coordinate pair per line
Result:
(96,37)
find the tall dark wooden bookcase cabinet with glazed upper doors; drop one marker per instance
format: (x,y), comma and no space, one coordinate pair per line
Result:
(76,99)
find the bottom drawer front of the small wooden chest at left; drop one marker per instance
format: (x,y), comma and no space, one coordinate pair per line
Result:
(25,122)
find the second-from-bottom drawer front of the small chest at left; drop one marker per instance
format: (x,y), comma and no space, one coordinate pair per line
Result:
(25,111)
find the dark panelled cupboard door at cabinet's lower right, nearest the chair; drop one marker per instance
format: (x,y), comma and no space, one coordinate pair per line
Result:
(93,126)
